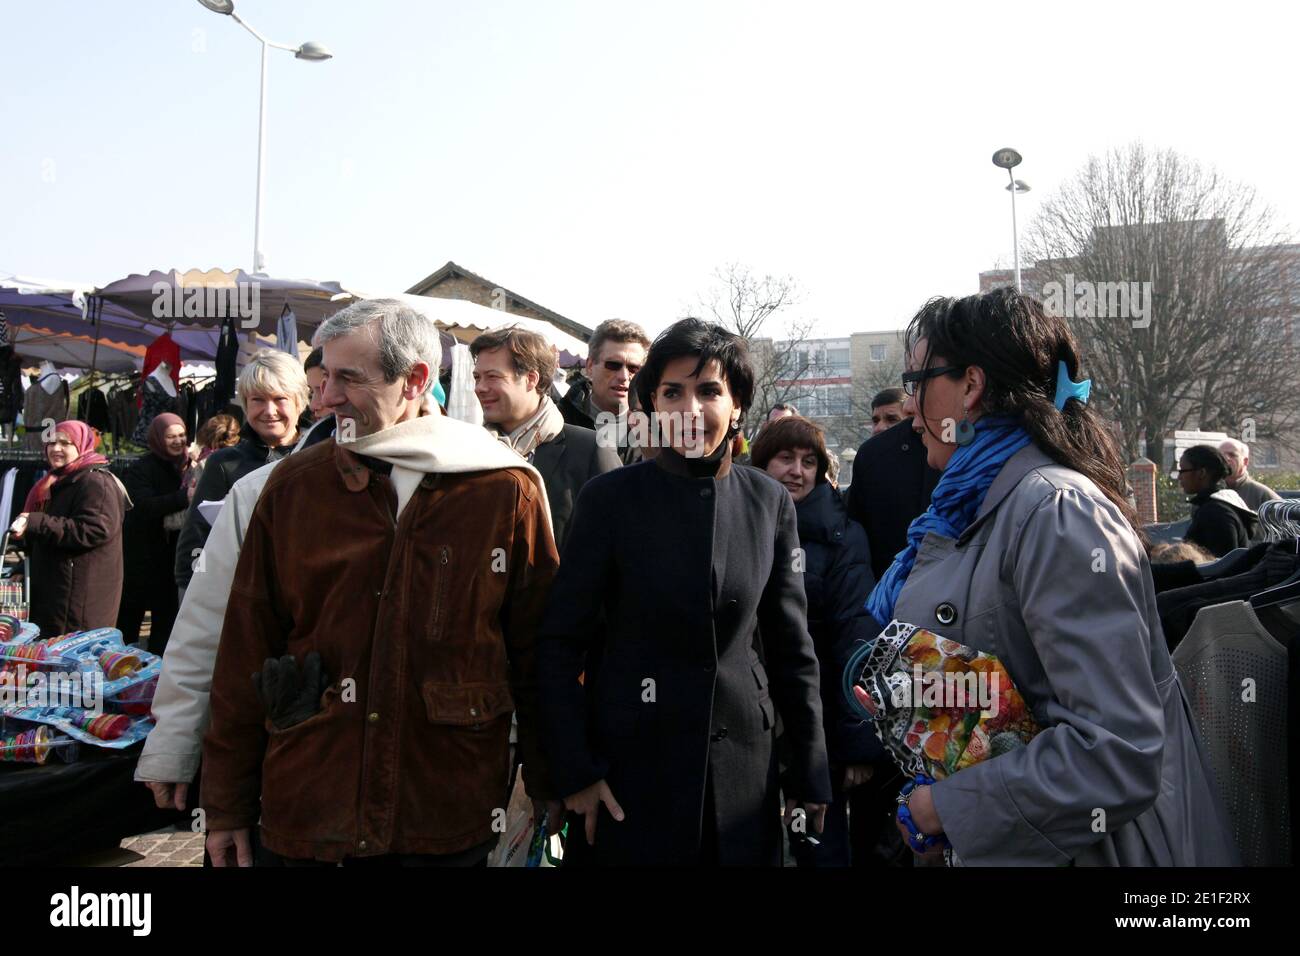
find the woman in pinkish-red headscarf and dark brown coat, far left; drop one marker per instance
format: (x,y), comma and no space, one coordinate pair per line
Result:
(72,525)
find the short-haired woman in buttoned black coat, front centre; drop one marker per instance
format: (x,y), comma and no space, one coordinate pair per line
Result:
(671,570)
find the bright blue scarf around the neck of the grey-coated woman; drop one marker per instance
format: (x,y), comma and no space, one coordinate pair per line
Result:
(955,504)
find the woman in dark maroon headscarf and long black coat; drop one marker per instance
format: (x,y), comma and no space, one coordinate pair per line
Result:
(159,496)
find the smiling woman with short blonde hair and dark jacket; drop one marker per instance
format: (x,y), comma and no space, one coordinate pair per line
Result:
(274,393)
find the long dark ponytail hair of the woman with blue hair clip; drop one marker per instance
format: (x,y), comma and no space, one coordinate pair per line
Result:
(1020,347)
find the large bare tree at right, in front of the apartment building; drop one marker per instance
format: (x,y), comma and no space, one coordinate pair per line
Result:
(1207,341)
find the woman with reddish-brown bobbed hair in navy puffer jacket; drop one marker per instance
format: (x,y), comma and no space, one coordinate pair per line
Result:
(837,565)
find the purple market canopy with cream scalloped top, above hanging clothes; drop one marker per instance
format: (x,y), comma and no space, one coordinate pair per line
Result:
(201,301)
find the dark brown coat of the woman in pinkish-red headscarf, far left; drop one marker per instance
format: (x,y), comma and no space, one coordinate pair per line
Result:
(76,552)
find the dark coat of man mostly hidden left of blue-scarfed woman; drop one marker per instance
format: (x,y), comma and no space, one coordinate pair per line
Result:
(891,487)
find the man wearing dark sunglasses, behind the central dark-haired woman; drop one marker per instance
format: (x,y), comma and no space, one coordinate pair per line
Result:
(616,354)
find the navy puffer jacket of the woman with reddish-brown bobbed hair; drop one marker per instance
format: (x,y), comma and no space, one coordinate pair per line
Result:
(838,579)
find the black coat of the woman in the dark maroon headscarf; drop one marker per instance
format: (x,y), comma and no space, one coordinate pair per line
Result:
(149,551)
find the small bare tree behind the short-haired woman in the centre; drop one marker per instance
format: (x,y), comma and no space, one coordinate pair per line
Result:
(747,304)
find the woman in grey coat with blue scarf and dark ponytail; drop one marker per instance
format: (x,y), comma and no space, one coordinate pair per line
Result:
(1030,552)
